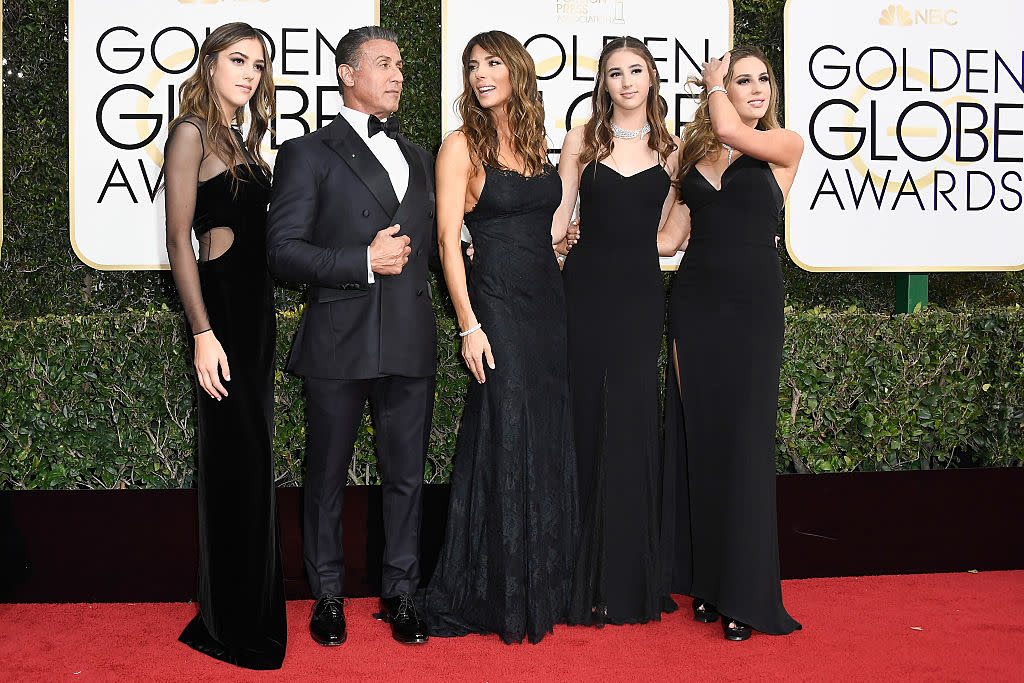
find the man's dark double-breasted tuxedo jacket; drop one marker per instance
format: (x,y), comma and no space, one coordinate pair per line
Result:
(331,196)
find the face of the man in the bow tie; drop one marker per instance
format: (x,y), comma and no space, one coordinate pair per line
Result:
(374,87)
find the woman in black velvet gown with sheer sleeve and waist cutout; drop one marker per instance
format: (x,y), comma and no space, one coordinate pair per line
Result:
(219,186)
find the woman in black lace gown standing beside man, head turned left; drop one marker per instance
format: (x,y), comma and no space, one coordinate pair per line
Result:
(507,561)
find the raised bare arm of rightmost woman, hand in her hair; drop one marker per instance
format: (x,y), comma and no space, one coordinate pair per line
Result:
(780,147)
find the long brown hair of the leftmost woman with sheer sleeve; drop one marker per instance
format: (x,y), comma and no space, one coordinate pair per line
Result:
(197,99)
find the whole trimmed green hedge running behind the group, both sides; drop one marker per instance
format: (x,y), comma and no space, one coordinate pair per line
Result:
(106,402)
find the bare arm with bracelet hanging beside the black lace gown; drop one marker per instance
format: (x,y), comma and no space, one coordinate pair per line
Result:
(453,173)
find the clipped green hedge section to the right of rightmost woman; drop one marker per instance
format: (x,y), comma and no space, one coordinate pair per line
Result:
(863,392)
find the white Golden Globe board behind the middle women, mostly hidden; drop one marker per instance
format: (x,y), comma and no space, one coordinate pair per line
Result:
(566,38)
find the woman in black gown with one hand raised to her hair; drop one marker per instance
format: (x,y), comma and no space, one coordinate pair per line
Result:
(726,343)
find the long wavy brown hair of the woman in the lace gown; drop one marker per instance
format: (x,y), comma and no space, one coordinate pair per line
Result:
(525,109)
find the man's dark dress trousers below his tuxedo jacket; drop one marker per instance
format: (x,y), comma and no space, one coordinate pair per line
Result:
(402,410)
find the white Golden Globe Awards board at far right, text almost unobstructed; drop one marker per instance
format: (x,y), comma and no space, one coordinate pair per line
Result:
(913,119)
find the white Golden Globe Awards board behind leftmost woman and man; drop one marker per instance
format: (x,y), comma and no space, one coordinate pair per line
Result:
(125,67)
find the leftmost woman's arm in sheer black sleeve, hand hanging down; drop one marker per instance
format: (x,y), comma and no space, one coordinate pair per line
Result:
(183,158)
